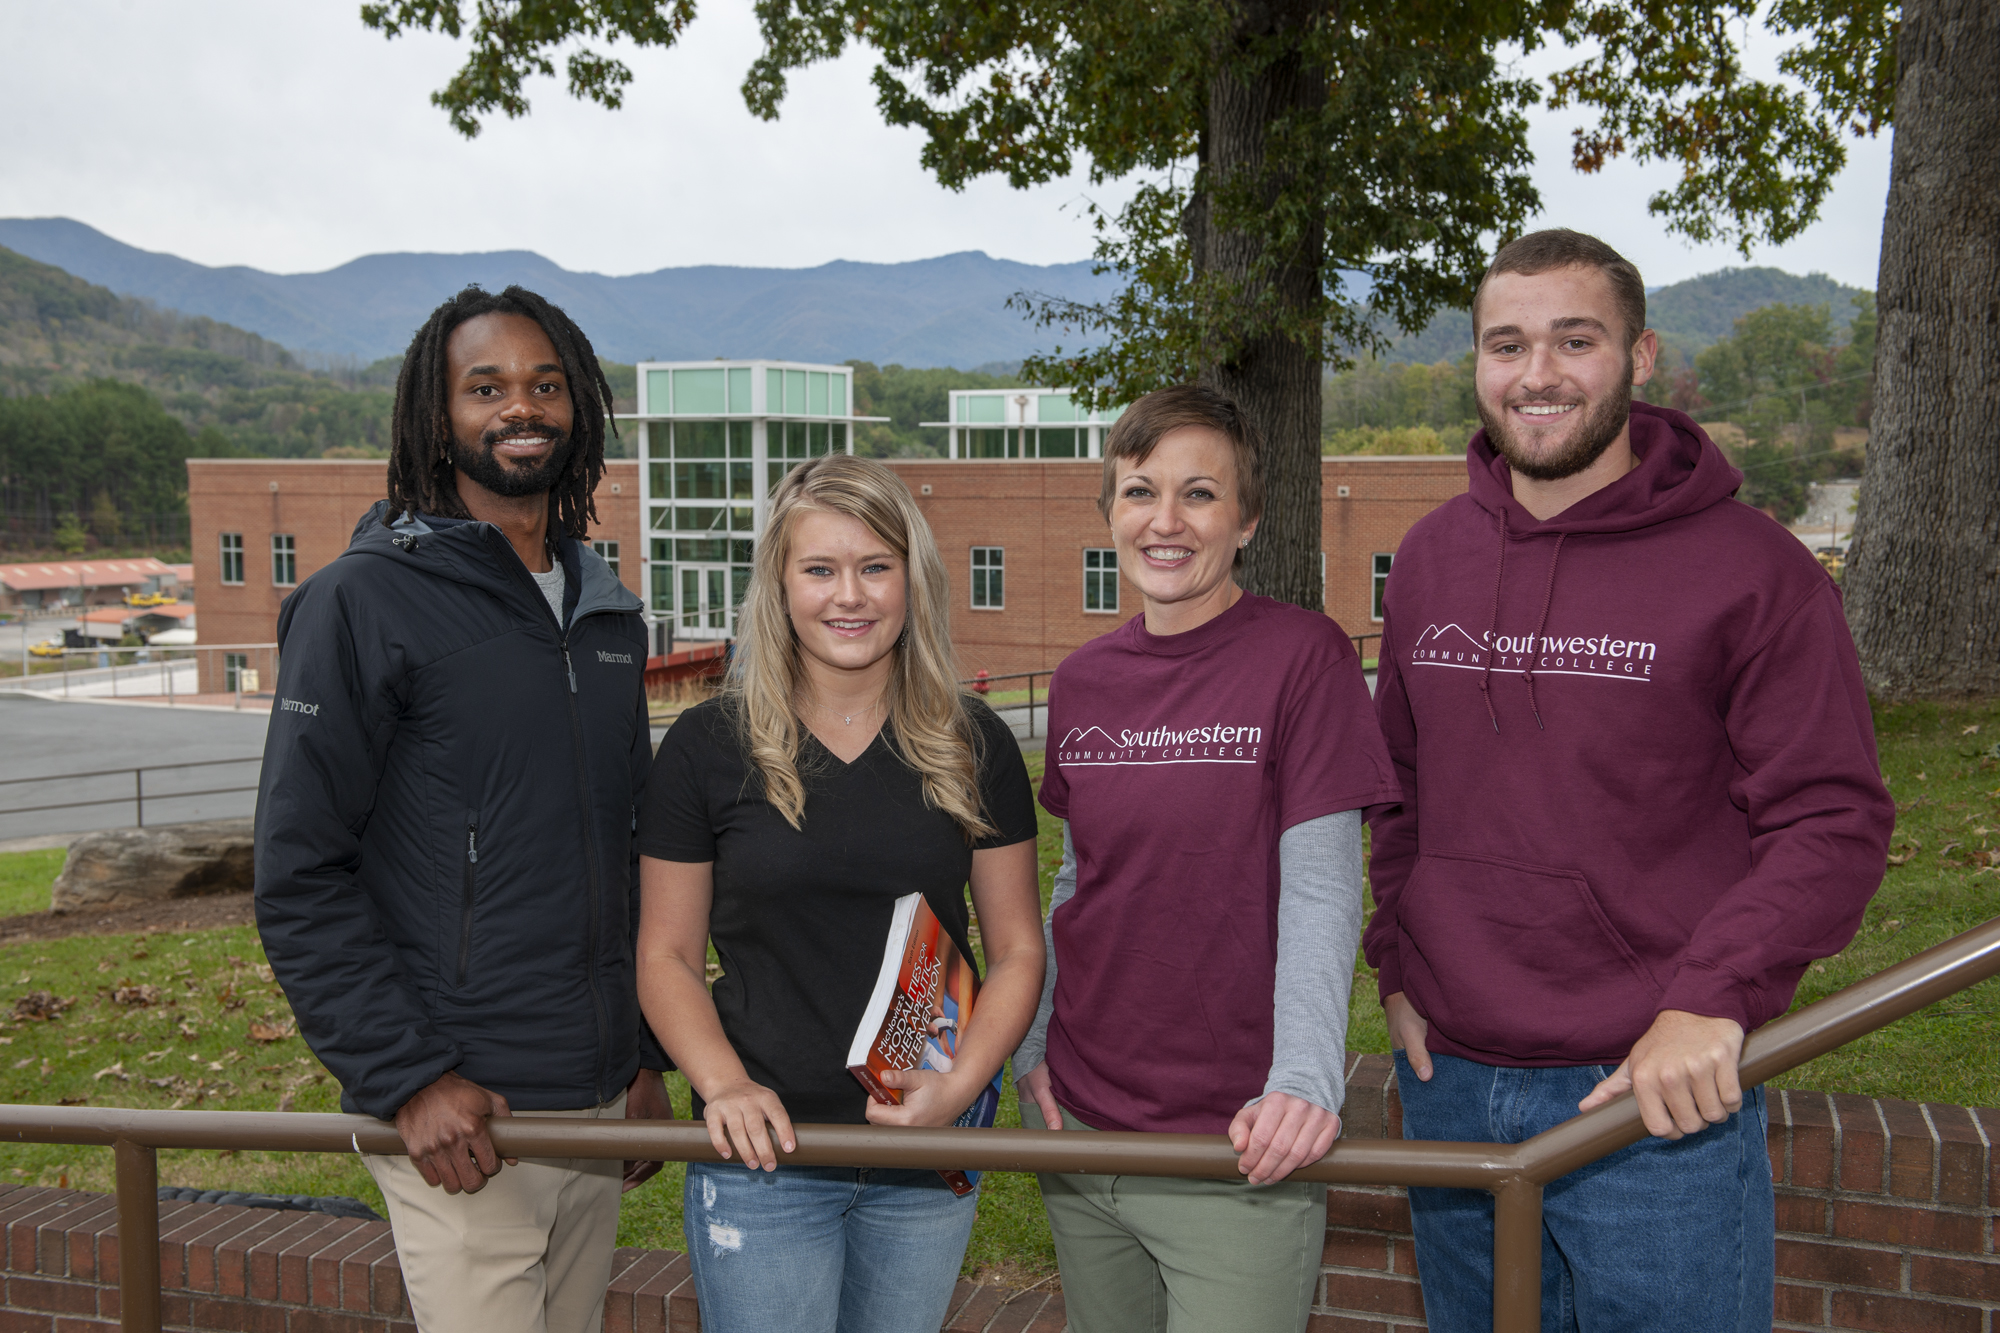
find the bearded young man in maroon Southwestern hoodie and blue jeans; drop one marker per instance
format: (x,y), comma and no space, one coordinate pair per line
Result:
(1641,796)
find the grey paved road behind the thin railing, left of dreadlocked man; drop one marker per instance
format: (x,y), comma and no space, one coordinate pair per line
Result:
(49,740)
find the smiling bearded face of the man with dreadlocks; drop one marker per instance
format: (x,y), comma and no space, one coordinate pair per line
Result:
(511,405)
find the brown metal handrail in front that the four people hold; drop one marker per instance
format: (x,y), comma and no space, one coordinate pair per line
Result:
(1515,1174)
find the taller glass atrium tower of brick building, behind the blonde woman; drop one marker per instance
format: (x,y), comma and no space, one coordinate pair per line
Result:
(717,437)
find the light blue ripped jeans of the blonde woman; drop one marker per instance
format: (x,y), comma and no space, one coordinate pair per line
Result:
(825,1250)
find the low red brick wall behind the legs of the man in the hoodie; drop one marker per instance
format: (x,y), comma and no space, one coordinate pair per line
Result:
(1889,1216)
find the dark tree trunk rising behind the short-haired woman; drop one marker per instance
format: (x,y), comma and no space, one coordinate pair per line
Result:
(1275,377)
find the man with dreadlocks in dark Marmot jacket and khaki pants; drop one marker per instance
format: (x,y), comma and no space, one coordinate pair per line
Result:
(445,868)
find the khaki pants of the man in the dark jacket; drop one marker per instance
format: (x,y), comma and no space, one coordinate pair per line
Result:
(529,1254)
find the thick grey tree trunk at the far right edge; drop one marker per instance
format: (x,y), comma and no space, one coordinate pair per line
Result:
(1923,581)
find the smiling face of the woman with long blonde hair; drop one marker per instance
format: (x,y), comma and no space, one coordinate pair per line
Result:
(843,589)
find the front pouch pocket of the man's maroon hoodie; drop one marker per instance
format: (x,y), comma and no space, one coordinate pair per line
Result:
(1521,962)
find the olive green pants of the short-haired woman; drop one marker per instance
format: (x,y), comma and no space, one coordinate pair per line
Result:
(1161,1256)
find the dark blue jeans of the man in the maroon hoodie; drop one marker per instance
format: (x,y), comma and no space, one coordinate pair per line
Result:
(1657,1236)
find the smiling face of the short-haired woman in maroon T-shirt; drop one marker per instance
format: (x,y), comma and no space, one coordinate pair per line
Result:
(1177,523)
